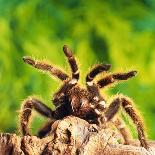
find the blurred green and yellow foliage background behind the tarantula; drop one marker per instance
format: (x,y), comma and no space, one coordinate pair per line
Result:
(118,32)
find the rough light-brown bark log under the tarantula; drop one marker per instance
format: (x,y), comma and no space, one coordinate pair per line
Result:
(71,136)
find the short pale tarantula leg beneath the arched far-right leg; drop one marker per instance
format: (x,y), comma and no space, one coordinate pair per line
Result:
(122,129)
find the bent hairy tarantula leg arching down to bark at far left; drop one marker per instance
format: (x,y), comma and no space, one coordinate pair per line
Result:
(26,112)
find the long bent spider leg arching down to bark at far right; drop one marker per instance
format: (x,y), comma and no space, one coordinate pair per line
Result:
(127,105)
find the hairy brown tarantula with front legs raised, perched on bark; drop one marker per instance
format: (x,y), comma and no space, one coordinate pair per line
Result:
(87,104)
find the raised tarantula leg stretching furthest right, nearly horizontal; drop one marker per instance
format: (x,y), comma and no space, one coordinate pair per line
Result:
(112,78)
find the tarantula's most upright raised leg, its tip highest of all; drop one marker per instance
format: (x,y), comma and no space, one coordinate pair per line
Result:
(72,63)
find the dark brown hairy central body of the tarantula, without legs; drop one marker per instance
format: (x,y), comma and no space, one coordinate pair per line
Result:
(75,101)
